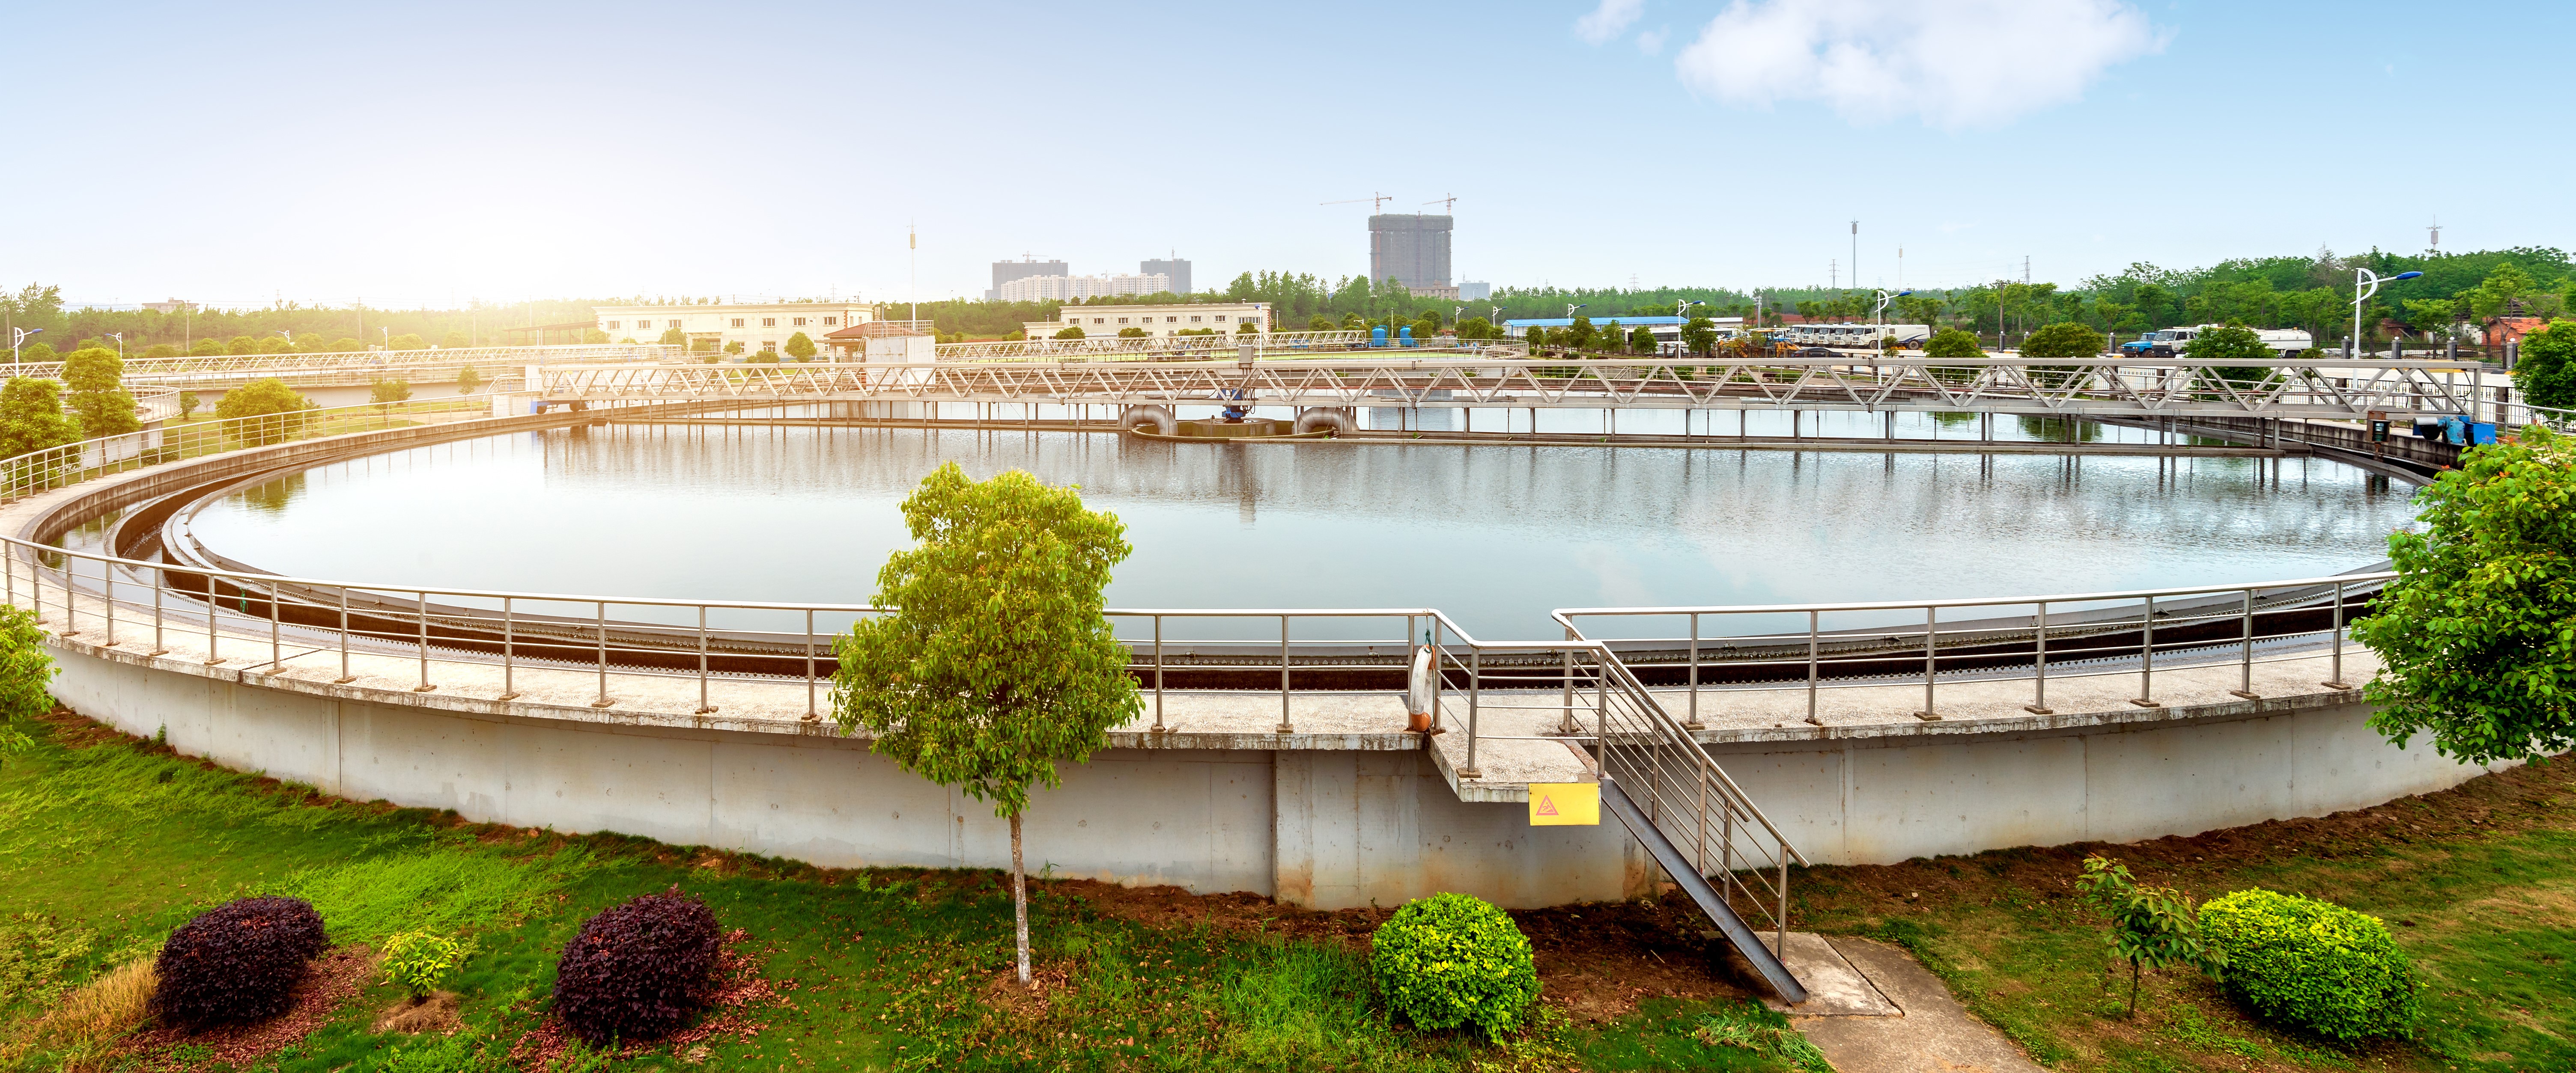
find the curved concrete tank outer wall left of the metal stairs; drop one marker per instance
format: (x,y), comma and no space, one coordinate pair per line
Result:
(1325,830)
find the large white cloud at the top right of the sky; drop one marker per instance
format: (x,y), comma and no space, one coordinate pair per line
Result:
(1951,63)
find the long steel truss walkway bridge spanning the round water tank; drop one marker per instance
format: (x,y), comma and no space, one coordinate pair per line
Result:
(1998,385)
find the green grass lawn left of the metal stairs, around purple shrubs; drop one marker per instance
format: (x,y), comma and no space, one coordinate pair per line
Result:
(109,843)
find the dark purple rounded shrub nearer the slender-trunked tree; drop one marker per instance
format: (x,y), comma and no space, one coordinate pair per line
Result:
(640,971)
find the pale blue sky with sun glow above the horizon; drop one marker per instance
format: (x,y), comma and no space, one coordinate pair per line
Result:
(437,153)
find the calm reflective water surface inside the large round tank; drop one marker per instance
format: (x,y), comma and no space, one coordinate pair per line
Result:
(1490,534)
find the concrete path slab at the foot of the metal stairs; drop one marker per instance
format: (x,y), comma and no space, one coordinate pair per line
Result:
(1874,1010)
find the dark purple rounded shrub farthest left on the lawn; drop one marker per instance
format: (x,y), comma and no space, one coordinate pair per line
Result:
(236,964)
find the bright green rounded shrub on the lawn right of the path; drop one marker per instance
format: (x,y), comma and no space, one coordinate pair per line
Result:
(2315,966)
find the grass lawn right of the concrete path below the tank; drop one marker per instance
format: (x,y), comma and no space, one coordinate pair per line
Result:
(2477,884)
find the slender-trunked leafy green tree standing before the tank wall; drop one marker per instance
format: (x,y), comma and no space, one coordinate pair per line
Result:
(996,663)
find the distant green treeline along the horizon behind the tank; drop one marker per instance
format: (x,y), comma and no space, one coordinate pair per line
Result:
(2309,292)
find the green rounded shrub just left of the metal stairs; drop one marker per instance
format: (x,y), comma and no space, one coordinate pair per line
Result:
(1452,961)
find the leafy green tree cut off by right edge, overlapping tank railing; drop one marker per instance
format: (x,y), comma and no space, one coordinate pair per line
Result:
(2474,637)
